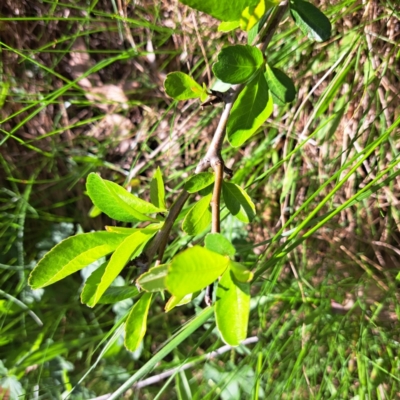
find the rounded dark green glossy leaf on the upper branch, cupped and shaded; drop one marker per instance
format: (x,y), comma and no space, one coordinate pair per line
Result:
(237,64)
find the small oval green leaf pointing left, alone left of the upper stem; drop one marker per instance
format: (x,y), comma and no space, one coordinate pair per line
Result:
(181,86)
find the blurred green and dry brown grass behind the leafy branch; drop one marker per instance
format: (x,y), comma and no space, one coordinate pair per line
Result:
(323,172)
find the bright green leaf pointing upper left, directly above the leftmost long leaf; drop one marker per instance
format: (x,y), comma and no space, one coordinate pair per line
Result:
(117,202)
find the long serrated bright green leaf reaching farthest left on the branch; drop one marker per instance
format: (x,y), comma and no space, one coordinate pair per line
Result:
(73,254)
